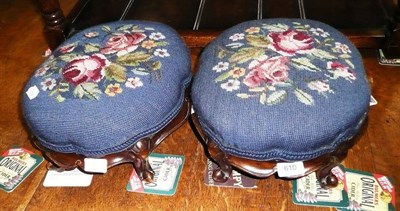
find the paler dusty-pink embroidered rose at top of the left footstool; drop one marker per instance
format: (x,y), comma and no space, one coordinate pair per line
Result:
(123,43)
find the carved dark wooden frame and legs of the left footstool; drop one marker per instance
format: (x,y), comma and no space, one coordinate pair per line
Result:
(136,154)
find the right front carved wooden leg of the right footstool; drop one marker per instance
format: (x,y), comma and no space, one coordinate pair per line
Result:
(324,175)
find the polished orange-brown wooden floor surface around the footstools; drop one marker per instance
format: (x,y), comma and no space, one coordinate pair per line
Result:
(21,46)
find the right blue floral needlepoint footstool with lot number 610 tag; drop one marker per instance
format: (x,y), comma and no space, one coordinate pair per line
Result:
(279,91)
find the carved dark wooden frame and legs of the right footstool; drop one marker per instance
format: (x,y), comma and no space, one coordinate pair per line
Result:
(262,169)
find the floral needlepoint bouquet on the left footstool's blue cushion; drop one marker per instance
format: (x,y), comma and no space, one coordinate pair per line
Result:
(88,69)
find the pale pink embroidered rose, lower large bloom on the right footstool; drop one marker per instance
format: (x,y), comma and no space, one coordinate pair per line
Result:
(268,70)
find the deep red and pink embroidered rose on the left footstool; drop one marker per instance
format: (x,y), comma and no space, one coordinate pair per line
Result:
(85,68)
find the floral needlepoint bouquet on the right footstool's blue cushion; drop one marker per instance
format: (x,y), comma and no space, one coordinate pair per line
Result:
(262,62)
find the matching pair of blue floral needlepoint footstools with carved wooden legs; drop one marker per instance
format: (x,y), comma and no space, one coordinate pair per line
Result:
(274,95)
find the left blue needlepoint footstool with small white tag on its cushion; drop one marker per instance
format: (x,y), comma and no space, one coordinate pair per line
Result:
(112,92)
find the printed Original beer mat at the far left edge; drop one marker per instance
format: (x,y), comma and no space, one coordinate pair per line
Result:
(15,165)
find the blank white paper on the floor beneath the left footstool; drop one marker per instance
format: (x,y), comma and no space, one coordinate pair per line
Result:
(74,178)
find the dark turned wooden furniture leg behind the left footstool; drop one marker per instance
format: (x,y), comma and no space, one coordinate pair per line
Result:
(55,22)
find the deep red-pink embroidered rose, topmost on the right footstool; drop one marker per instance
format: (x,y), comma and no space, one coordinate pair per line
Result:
(290,42)
